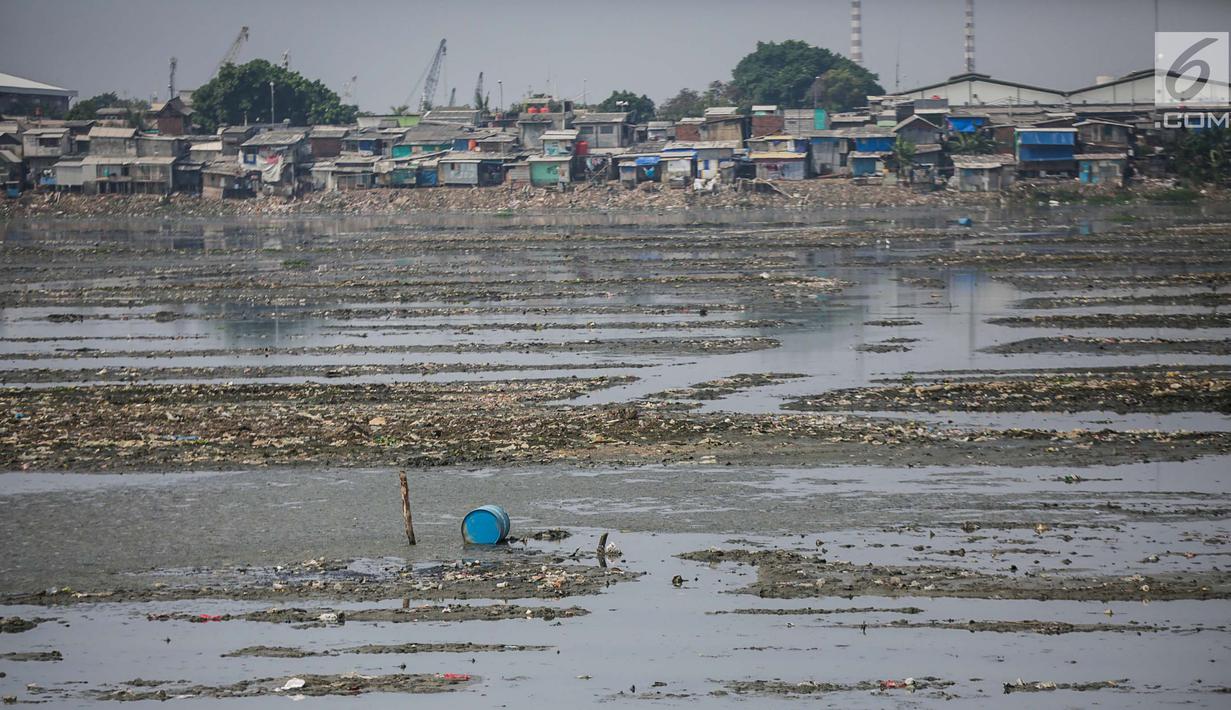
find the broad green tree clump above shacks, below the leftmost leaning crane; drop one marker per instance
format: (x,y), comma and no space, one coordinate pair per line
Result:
(243,93)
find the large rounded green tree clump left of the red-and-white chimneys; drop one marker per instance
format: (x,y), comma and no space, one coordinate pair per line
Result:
(786,74)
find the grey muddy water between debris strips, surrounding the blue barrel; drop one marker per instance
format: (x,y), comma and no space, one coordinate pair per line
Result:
(243,301)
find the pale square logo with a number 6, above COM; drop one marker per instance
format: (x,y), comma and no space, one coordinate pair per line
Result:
(1192,70)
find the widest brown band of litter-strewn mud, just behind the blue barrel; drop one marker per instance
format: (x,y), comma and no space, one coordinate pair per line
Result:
(138,428)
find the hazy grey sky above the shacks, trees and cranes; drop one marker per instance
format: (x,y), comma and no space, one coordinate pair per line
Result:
(649,46)
